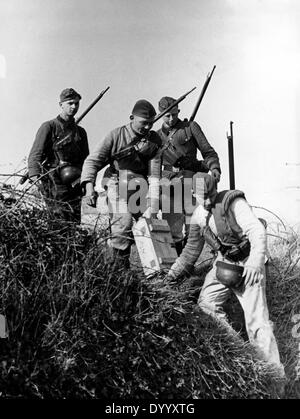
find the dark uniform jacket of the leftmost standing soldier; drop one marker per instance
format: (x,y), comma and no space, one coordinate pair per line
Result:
(57,140)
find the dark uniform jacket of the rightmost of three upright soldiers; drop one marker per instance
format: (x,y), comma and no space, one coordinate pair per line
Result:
(183,141)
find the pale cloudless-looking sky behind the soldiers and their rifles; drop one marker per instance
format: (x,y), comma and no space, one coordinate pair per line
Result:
(149,49)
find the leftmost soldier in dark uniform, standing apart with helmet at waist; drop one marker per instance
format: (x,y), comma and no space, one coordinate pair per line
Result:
(57,156)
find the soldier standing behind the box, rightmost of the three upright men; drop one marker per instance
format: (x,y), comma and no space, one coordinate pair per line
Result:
(181,141)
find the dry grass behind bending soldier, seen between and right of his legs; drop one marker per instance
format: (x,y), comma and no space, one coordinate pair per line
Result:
(283,296)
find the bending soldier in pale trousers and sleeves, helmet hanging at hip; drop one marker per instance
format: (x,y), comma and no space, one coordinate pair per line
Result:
(239,266)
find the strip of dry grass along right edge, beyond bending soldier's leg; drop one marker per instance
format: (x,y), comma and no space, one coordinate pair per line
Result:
(284,302)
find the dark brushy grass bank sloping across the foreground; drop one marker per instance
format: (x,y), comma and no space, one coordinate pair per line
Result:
(80,327)
